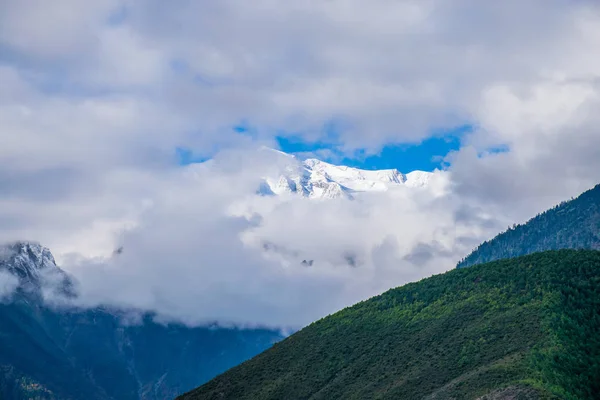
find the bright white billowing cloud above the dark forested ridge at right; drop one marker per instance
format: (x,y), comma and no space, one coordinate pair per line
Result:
(553,141)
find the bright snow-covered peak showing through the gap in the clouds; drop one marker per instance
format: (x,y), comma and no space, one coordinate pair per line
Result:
(316,179)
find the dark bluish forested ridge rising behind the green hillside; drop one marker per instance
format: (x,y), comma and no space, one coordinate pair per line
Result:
(573,224)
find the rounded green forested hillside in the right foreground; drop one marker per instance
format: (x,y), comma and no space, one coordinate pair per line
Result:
(524,328)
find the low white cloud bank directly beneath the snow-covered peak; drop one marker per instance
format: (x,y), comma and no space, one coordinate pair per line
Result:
(209,249)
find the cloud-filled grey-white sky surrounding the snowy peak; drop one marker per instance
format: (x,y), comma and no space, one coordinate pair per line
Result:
(97,96)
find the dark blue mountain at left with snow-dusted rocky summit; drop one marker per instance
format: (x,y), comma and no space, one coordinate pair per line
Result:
(66,353)
